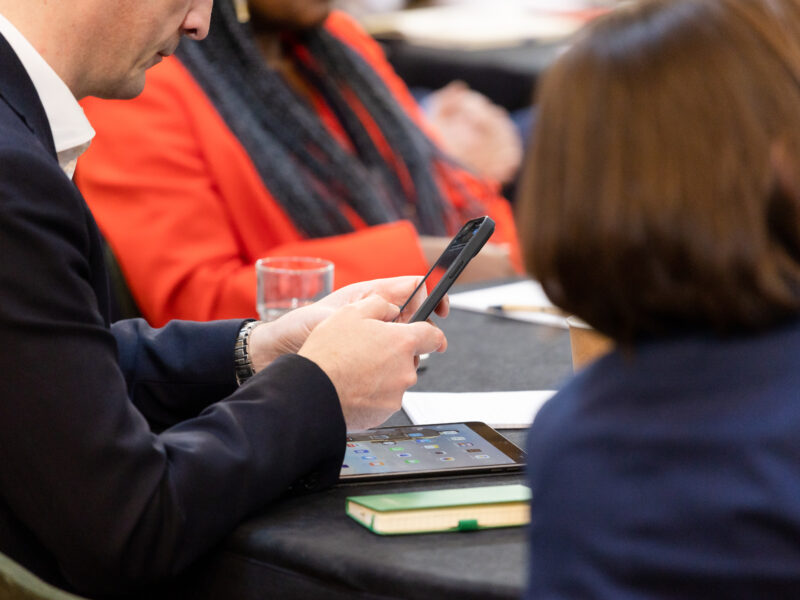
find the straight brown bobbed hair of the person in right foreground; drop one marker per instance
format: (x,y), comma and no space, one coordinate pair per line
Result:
(649,203)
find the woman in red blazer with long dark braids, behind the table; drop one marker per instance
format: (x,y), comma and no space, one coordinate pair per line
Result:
(285,133)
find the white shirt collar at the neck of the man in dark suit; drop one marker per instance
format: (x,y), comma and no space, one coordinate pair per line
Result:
(71,129)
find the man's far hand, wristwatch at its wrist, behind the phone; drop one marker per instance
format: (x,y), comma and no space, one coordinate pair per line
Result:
(287,334)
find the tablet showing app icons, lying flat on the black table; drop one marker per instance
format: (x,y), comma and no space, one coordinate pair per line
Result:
(428,450)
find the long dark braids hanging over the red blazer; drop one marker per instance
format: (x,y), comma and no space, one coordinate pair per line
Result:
(306,170)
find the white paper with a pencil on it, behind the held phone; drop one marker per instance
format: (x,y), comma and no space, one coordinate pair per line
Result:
(521,293)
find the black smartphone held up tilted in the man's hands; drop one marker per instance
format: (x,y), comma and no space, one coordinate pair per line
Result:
(461,249)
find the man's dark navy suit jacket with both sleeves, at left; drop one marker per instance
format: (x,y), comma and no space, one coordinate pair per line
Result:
(90,497)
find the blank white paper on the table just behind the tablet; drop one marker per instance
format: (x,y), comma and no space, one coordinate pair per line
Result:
(501,410)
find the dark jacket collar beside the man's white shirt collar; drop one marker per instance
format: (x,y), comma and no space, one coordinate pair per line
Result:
(18,91)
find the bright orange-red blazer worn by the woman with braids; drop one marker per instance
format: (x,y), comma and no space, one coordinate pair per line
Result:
(187,214)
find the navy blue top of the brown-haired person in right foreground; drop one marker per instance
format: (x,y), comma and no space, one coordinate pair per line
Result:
(671,472)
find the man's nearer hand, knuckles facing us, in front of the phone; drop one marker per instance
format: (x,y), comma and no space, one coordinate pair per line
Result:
(370,360)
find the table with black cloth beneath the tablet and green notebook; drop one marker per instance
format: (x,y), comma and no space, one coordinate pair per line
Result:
(306,547)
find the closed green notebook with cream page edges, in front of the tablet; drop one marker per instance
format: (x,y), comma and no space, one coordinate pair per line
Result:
(461,509)
